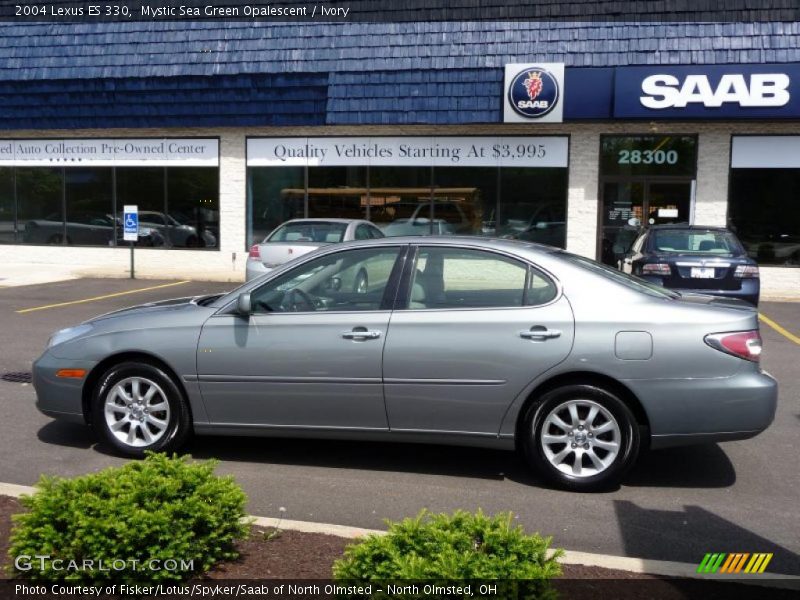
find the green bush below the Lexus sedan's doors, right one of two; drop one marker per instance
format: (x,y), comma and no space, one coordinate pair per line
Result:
(442,547)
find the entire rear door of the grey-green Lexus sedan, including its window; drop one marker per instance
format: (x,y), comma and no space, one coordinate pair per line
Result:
(475,329)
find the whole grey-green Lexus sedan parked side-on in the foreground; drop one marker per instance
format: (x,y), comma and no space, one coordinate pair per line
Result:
(493,343)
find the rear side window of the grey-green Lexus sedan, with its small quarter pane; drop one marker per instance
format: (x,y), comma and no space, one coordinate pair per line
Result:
(450,278)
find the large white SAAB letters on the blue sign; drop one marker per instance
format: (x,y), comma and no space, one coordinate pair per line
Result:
(756,90)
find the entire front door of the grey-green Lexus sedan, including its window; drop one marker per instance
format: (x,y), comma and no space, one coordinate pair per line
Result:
(310,354)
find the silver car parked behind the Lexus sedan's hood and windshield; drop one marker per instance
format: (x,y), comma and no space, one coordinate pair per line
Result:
(297,237)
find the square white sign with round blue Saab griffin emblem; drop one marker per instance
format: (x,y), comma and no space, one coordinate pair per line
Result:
(534,92)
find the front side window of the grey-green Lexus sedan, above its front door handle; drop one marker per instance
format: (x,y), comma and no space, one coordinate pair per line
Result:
(352,280)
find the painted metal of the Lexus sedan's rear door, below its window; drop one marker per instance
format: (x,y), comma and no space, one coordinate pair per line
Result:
(443,384)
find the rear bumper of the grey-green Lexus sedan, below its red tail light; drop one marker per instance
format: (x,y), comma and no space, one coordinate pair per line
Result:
(687,411)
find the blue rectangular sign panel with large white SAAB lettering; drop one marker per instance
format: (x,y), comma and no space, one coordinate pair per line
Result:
(708,92)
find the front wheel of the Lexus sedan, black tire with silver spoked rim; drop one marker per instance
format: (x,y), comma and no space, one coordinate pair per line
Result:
(137,407)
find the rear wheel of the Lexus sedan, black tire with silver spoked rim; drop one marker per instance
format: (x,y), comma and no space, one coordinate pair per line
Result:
(581,437)
